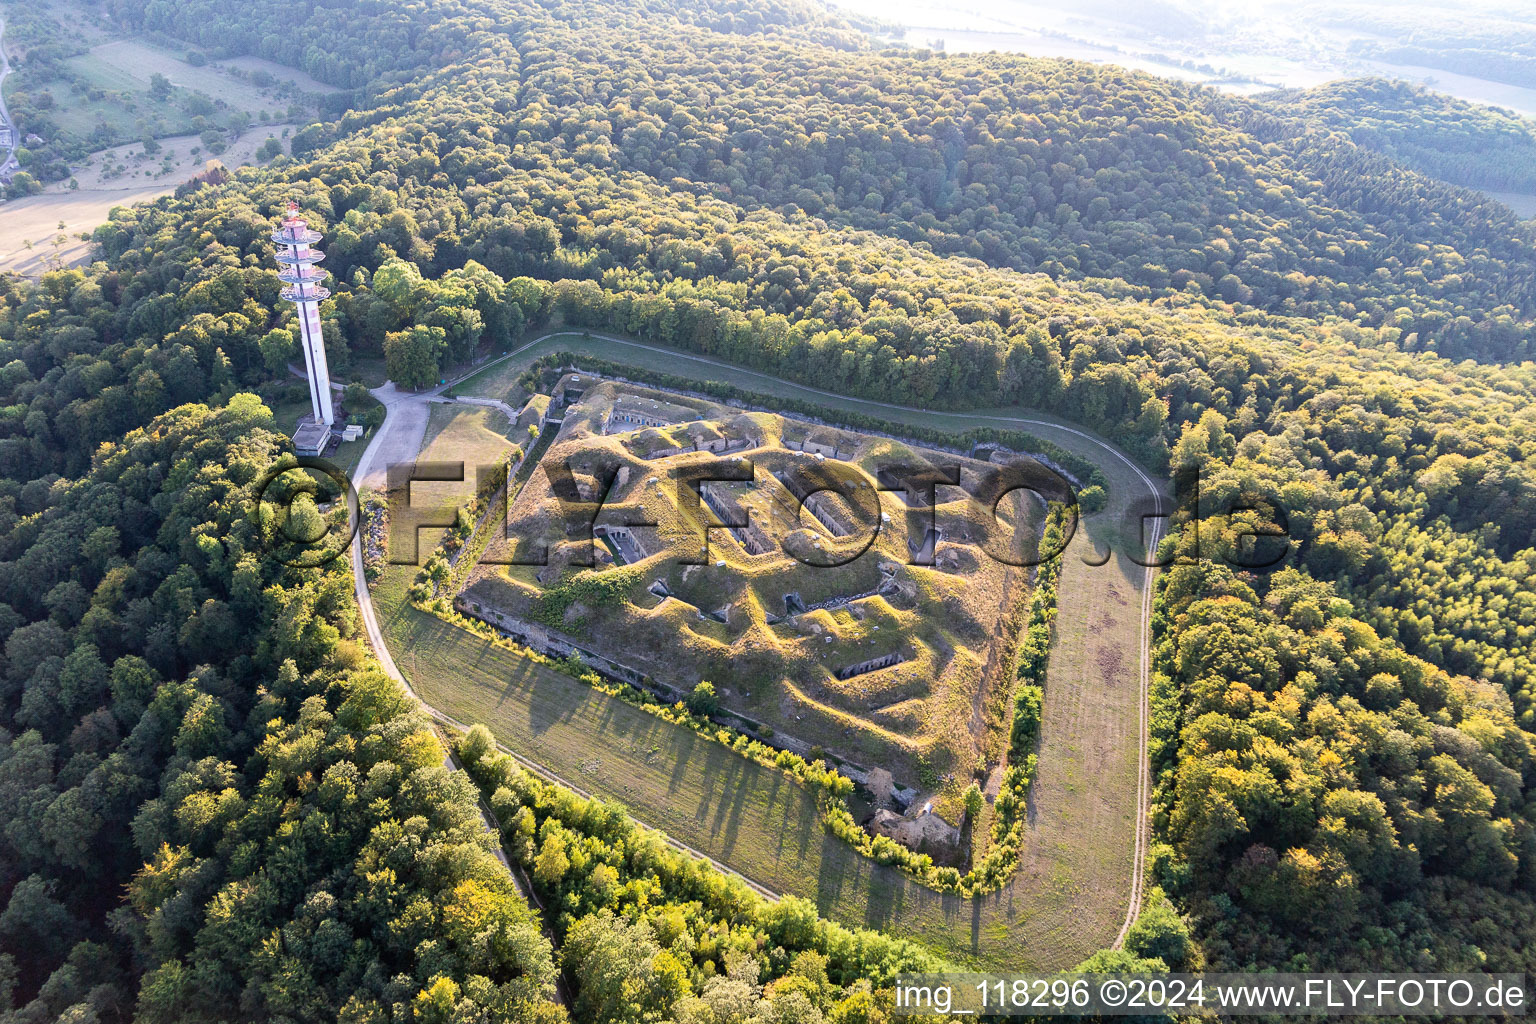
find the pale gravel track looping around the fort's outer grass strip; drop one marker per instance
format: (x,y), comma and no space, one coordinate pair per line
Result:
(400,437)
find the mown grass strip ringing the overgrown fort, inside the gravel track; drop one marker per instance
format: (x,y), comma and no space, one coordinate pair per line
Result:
(1070,894)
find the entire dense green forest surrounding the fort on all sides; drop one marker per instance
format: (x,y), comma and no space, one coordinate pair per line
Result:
(211,794)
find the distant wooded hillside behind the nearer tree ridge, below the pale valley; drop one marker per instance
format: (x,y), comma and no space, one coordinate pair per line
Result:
(1079,171)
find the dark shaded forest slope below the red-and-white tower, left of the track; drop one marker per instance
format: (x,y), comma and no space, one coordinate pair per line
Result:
(214,801)
